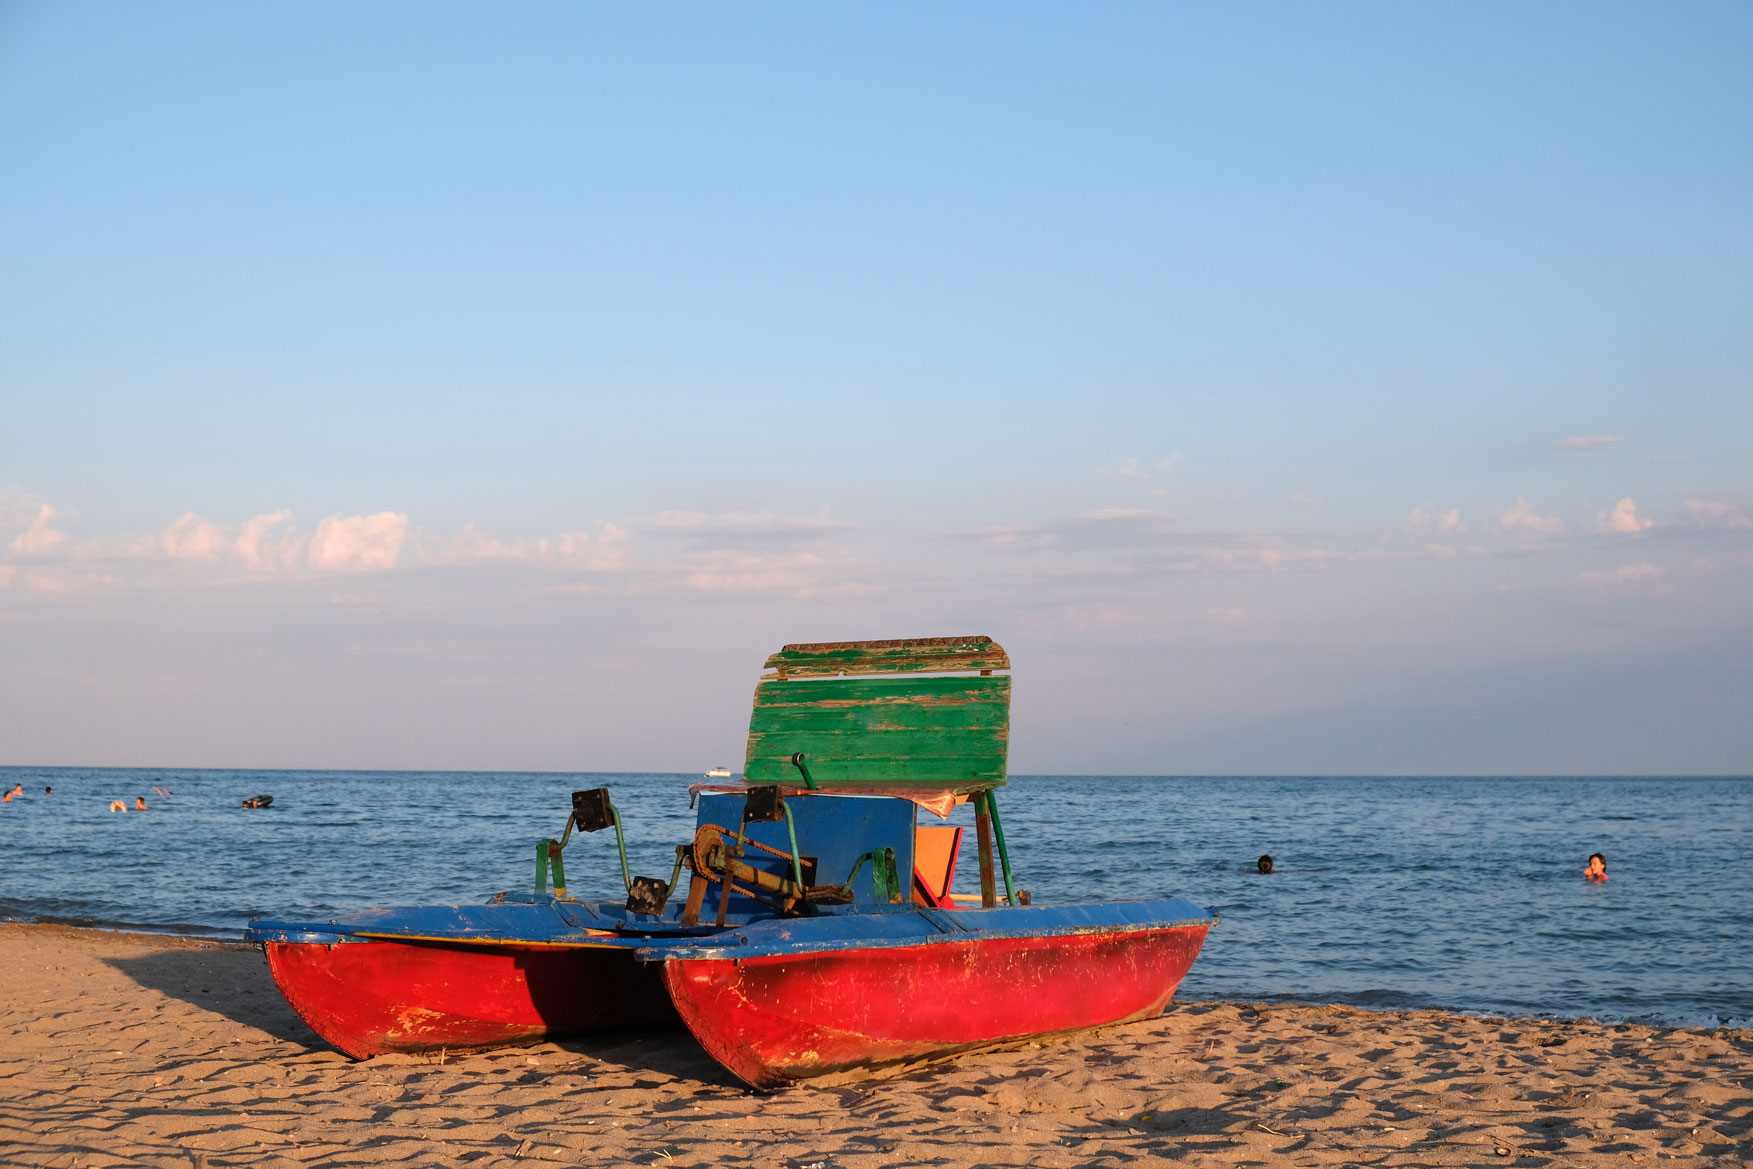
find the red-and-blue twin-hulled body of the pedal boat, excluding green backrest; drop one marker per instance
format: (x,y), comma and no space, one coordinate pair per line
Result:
(529,967)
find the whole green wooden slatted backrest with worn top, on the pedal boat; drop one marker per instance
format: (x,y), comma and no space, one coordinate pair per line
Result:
(926,712)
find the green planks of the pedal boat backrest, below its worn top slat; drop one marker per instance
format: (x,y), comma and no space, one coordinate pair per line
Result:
(940,732)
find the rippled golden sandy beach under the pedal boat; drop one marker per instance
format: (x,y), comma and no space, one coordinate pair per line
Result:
(145,1051)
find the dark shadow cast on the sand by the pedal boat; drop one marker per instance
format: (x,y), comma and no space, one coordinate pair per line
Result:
(232,981)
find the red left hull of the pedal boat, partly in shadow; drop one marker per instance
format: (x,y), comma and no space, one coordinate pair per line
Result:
(380,996)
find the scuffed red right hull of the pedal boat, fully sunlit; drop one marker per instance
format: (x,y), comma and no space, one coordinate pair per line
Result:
(786,1017)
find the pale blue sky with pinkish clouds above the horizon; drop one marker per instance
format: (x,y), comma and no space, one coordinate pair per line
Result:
(1289,388)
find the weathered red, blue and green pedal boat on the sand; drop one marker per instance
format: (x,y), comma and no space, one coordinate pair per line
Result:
(858,753)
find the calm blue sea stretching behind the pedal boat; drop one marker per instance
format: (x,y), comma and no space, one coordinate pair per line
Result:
(1391,893)
